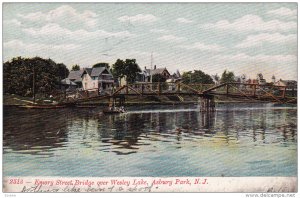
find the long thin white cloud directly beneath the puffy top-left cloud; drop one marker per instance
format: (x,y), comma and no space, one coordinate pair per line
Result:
(56,31)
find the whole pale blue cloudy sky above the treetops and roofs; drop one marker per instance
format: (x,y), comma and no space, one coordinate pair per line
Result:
(246,38)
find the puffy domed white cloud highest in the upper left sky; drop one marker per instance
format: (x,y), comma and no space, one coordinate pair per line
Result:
(65,14)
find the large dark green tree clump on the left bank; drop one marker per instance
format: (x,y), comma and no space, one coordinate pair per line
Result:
(18,75)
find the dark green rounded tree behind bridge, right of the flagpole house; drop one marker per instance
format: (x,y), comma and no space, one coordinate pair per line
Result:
(197,76)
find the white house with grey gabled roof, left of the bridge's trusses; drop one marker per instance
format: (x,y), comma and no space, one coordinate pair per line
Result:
(97,78)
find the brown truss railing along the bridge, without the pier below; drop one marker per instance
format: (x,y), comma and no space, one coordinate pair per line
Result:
(232,89)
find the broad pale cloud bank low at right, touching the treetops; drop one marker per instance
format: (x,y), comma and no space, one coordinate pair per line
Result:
(282,66)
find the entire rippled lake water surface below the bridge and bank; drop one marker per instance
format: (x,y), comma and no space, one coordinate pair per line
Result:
(236,140)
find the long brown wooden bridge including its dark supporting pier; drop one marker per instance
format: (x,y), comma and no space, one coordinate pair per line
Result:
(207,92)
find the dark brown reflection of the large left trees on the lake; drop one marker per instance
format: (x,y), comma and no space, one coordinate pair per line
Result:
(27,129)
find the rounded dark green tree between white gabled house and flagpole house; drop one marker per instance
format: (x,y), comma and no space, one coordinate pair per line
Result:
(128,68)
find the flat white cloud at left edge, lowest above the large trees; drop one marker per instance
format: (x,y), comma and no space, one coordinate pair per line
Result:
(36,47)
